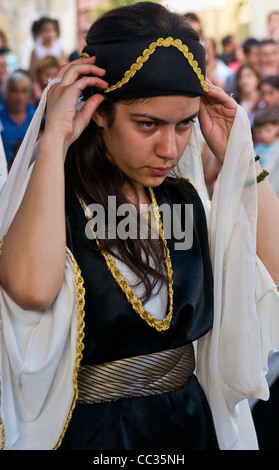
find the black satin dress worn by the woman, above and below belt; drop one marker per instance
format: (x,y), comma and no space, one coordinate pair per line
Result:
(179,420)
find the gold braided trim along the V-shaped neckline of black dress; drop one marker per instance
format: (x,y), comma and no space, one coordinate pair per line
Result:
(160,325)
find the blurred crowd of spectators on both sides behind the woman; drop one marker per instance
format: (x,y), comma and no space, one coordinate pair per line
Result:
(247,70)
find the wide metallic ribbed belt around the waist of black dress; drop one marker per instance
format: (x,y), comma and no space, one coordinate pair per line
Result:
(148,374)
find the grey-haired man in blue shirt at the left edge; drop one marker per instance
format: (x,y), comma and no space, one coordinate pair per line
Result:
(17,112)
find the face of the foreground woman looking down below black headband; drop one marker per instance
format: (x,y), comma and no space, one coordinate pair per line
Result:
(148,137)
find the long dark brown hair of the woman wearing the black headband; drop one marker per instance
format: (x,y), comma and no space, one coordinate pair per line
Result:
(88,170)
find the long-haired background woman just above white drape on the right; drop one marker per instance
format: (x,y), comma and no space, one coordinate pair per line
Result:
(246,89)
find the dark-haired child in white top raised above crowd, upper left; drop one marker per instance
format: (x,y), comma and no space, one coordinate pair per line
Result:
(46,33)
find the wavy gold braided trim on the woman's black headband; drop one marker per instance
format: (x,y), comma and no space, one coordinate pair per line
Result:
(147,53)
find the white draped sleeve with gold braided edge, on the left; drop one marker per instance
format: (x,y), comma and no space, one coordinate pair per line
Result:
(40,351)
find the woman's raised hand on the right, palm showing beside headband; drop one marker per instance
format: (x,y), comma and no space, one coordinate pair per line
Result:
(217,113)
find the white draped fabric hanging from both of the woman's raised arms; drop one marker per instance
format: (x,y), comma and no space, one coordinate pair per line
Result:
(40,352)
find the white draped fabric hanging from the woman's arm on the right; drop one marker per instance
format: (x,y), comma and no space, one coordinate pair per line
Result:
(232,360)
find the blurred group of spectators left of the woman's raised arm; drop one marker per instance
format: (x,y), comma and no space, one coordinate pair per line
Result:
(21,89)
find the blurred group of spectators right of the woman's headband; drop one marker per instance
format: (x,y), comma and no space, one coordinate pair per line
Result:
(249,71)
